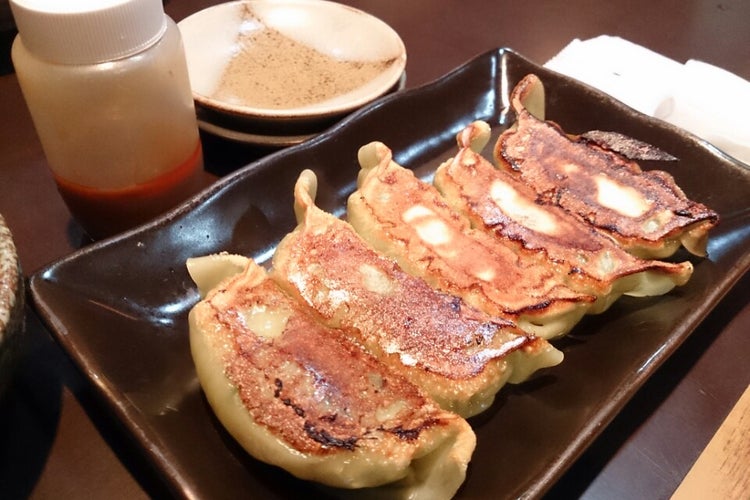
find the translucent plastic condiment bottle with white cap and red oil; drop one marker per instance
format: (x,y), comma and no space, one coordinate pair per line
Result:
(107,87)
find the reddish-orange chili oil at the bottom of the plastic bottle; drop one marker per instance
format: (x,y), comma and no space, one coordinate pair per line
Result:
(104,212)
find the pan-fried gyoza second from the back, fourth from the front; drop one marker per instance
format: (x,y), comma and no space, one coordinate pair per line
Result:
(500,204)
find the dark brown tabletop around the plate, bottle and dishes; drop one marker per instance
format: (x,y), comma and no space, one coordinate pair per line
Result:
(56,441)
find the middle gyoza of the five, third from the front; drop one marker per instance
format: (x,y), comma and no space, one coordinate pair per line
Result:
(410,221)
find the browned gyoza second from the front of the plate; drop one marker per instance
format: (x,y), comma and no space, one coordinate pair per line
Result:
(456,354)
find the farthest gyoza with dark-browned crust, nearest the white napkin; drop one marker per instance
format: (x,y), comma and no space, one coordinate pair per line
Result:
(645,211)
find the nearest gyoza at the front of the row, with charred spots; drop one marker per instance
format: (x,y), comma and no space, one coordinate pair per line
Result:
(304,397)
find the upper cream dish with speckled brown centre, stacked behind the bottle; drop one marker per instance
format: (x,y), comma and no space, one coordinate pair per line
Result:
(289,62)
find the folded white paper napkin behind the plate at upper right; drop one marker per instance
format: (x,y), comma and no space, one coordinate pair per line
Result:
(706,100)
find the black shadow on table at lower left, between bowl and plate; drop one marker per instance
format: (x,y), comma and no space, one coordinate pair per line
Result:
(30,414)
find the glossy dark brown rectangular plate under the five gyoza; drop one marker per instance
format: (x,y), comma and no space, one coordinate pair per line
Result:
(119,307)
